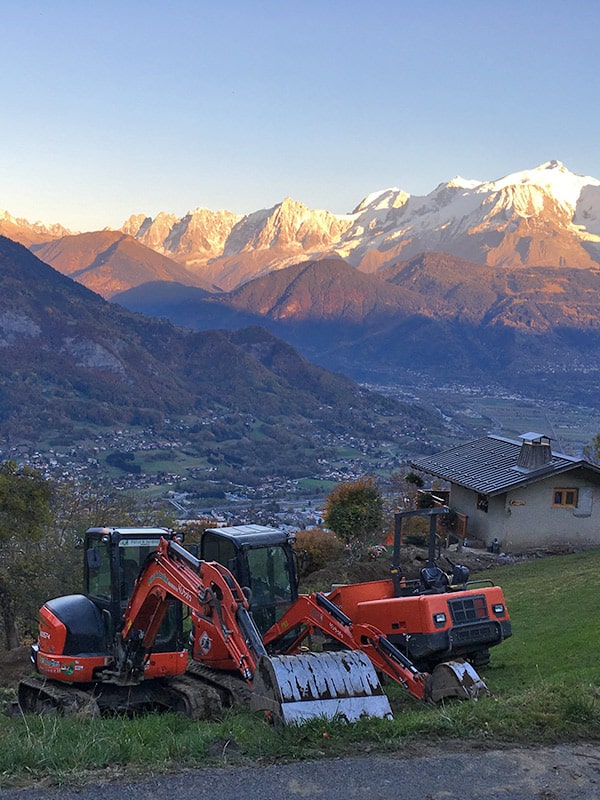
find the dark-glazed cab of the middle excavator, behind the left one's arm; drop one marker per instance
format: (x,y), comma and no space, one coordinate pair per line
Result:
(261,559)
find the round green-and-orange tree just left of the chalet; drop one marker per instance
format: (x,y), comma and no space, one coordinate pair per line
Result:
(354,512)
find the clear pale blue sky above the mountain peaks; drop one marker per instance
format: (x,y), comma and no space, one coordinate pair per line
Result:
(139,106)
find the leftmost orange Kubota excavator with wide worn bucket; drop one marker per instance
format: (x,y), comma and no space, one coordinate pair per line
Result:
(120,646)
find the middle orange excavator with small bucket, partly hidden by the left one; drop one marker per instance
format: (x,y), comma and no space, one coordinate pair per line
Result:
(262,558)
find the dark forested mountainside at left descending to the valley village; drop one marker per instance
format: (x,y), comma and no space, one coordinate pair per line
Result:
(245,402)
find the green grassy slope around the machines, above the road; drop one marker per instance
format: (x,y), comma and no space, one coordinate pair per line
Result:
(545,685)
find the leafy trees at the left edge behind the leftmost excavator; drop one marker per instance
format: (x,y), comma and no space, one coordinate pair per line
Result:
(42,525)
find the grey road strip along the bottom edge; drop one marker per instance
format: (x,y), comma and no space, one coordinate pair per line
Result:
(564,772)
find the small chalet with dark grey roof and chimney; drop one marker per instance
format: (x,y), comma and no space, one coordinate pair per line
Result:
(520,493)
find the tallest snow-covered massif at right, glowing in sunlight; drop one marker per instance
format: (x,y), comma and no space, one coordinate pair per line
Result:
(546,216)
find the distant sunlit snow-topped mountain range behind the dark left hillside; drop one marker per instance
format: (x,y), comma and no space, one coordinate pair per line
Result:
(477,280)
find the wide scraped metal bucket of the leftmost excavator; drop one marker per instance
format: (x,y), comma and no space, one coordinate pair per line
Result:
(340,684)
